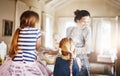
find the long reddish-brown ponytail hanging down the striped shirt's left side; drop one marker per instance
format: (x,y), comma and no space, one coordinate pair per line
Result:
(13,47)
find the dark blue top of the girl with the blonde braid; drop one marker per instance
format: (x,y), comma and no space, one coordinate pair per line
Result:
(62,68)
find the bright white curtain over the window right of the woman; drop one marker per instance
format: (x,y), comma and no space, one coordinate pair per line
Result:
(104,35)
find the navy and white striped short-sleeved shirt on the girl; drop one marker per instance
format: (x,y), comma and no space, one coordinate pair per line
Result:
(27,44)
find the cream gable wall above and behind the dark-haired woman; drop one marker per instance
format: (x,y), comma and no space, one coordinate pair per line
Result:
(95,7)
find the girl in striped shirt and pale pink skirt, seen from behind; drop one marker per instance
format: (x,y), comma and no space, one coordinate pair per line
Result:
(22,52)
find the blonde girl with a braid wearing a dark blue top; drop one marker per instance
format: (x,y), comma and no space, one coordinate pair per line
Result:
(66,65)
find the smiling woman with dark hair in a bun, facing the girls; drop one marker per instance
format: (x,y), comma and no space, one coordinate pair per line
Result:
(81,35)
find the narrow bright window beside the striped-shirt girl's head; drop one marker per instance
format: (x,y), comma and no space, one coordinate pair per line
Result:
(48,30)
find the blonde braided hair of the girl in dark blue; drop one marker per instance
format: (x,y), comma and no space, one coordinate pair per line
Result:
(67,48)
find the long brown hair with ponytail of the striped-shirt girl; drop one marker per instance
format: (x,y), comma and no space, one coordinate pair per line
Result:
(27,19)
